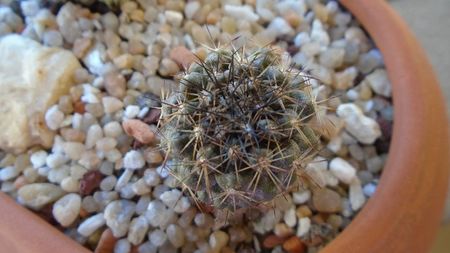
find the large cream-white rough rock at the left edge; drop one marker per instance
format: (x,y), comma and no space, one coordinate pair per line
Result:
(31,80)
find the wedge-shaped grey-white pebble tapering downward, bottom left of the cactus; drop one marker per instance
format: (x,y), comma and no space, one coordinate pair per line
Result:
(118,214)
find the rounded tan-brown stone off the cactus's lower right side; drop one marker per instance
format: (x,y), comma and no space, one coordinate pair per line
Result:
(326,201)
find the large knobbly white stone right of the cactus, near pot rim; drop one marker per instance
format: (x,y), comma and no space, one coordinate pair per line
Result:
(363,128)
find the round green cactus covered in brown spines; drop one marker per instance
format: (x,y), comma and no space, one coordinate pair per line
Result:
(237,130)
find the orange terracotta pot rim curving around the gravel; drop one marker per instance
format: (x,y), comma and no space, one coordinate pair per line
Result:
(404,214)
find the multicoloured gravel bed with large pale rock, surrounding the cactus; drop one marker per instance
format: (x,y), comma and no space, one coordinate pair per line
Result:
(83,149)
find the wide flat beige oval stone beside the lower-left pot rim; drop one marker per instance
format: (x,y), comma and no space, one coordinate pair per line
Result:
(39,194)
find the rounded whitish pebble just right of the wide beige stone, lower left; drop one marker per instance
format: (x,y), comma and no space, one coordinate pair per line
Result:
(67,209)
